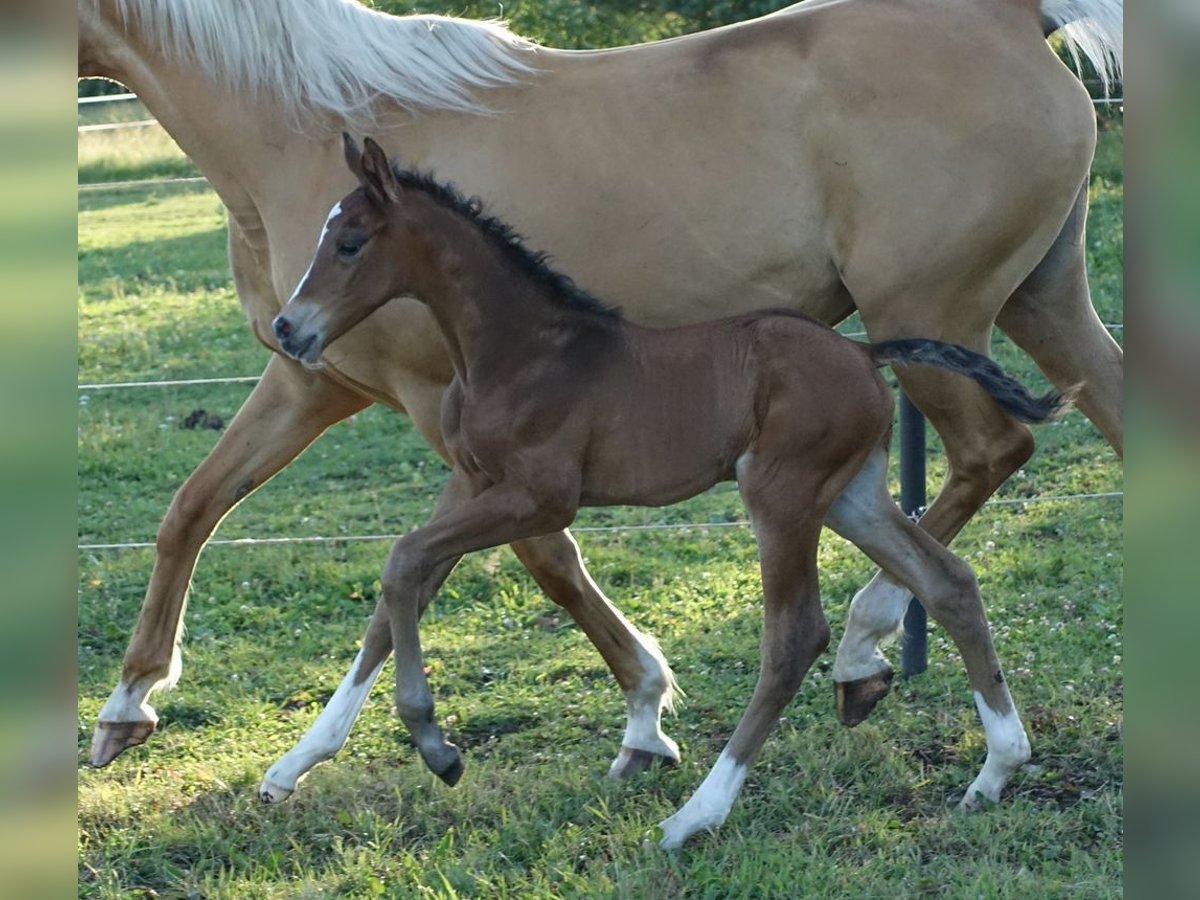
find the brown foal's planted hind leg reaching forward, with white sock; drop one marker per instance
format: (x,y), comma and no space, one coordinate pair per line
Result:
(794,635)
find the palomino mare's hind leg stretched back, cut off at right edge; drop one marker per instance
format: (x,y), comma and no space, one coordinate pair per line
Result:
(1052,319)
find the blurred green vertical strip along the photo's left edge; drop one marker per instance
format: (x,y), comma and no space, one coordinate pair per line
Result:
(38,680)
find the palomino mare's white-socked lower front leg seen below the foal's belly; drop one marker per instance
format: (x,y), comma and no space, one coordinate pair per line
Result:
(634,658)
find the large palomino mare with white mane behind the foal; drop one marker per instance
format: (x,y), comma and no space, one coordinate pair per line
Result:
(922,161)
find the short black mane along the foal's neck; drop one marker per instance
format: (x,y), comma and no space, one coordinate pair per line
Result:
(532,263)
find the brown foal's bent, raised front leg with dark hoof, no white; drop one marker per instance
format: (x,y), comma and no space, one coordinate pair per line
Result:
(501,514)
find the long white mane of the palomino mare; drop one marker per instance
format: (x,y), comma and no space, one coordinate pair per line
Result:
(337,56)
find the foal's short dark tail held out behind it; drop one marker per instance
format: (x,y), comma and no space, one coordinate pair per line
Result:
(1007,392)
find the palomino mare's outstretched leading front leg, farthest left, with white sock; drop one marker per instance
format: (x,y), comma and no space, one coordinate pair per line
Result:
(285,413)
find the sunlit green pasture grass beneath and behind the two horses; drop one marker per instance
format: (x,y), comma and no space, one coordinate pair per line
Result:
(273,629)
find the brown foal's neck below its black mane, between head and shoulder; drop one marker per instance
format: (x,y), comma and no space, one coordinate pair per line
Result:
(493,315)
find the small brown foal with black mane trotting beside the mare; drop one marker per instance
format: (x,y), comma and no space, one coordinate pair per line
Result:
(559,403)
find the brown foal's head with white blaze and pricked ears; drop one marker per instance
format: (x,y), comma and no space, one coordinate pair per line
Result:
(364,259)
